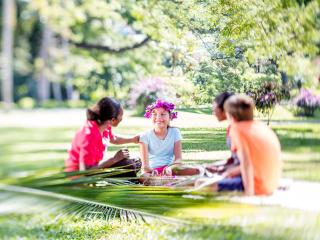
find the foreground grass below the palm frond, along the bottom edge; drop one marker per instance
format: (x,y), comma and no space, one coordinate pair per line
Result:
(222,222)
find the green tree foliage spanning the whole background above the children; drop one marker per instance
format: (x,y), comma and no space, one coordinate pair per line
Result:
(208,44)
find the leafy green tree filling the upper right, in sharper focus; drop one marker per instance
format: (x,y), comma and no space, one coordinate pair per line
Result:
(240,35)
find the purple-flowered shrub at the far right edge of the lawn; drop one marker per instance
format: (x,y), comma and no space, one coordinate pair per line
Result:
(306,103)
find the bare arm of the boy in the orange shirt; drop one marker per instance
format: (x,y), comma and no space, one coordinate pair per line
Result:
(246,169)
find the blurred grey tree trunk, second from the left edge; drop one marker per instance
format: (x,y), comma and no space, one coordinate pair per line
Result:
(43,84)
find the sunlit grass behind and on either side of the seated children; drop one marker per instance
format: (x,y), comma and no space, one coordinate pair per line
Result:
(25,149)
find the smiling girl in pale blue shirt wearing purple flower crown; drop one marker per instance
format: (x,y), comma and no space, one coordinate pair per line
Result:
(161,147)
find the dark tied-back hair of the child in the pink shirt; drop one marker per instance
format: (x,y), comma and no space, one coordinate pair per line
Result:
(104,110)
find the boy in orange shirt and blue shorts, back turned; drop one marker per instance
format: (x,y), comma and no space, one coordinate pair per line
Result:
(257,148)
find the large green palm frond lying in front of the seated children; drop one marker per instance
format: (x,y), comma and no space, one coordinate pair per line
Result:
(99,194)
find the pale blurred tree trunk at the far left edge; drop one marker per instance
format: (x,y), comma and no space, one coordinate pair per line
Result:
(9,12)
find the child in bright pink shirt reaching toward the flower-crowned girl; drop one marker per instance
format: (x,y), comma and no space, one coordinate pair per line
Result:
(90,142)
